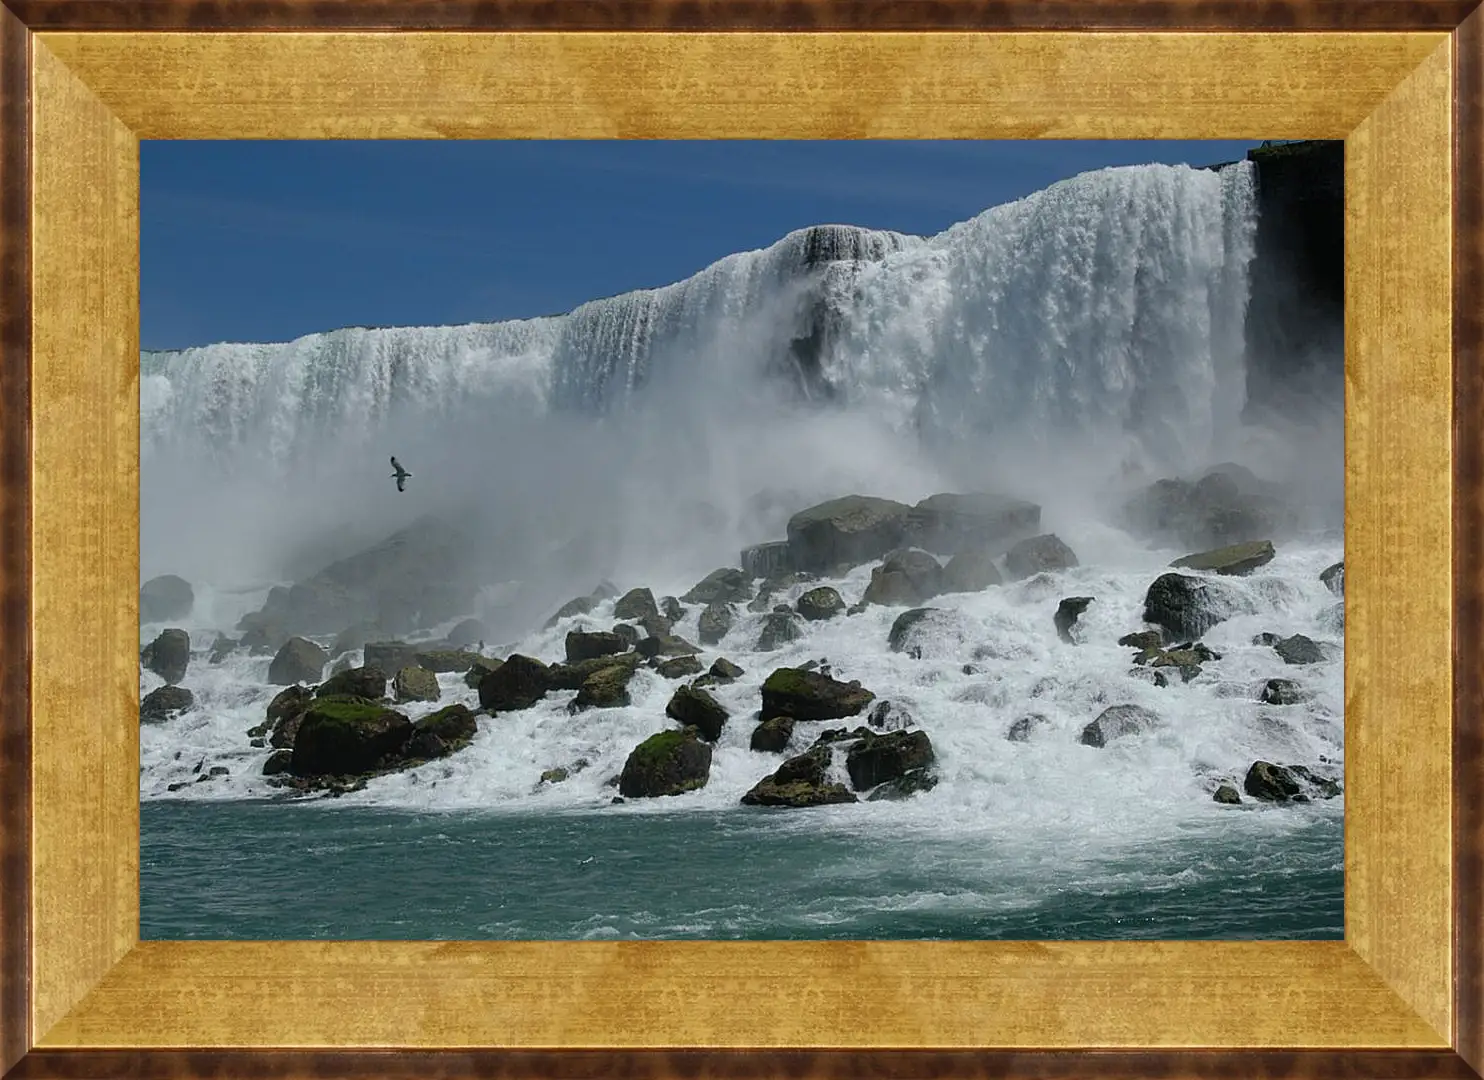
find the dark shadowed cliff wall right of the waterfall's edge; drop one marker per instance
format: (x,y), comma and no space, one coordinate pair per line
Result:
(1296,314)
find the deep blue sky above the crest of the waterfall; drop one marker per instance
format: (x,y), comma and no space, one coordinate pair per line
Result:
(271,241)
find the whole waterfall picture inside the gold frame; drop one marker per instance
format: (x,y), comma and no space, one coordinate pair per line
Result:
(738,541)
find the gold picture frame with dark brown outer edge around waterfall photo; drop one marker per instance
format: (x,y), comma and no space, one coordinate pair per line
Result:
(84,82)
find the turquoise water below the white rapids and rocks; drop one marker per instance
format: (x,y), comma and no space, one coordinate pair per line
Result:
(275,872)
